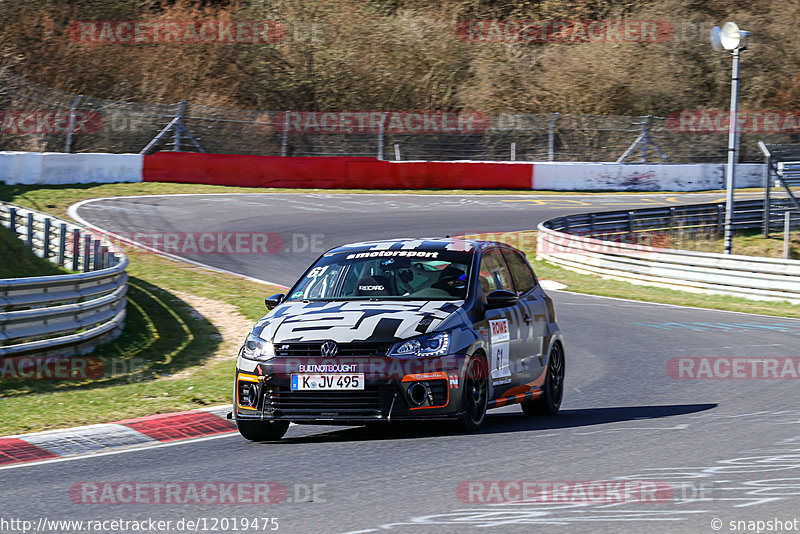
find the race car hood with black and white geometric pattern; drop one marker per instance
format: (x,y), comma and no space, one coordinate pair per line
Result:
(349,321)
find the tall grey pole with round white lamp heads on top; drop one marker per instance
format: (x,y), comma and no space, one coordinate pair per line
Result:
(730,37)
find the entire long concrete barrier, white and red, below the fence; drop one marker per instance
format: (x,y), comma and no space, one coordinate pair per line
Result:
(365,173)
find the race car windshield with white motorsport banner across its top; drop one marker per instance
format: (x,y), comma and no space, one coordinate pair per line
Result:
(427,275)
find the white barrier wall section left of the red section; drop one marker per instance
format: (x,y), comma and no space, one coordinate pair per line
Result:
(56,168)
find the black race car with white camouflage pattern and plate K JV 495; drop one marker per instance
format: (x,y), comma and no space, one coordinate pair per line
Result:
(407,329)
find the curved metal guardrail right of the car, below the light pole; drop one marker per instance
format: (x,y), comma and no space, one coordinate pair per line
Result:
(598,243)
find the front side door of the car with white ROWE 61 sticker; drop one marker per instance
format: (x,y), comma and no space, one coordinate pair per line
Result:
(503,323)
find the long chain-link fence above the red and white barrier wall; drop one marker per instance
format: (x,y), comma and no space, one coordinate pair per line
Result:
(43,119)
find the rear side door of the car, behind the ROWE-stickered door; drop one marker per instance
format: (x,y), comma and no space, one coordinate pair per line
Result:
(528,358)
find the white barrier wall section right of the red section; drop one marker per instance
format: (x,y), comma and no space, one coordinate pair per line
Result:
(567,176)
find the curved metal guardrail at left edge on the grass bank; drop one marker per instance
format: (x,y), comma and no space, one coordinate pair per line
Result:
(68,313)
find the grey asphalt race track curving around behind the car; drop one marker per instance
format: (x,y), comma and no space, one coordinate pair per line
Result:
(730,448)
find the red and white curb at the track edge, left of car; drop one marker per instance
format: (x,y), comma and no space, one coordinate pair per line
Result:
(116,435)
